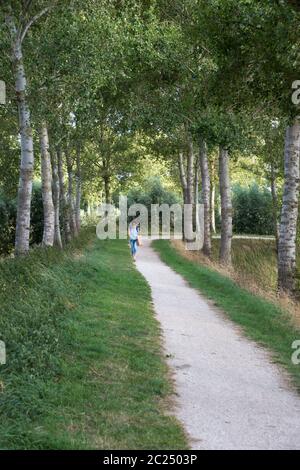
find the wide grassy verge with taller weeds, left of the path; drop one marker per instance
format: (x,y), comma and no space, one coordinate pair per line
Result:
(84,365)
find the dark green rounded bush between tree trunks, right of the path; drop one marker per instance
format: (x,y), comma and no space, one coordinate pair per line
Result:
(252,210)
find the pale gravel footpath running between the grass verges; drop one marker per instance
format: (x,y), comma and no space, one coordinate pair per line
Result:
(230,395)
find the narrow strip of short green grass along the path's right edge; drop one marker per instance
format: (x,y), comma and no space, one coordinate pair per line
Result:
(261,320)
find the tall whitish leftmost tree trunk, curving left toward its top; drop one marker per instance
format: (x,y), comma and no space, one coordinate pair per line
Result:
(27,156)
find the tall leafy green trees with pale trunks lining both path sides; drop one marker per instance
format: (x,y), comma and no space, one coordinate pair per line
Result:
(203,83)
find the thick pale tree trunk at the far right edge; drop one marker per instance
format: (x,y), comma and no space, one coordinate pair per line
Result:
(289,213)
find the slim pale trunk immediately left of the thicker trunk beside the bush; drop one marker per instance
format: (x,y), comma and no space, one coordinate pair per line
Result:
(205,178)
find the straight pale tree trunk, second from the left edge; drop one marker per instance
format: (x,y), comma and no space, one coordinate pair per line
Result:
(48,232)
